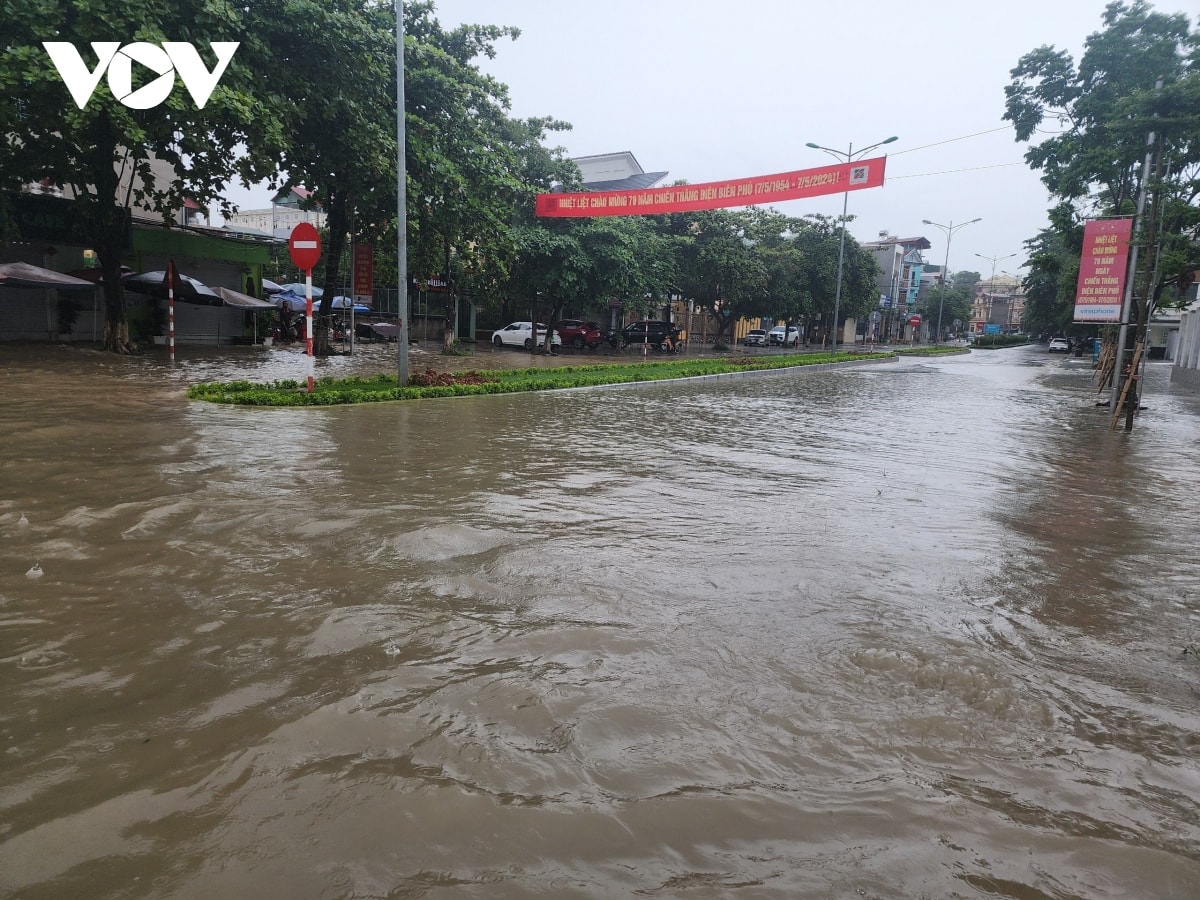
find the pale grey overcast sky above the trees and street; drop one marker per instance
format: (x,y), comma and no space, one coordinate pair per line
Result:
(711,91)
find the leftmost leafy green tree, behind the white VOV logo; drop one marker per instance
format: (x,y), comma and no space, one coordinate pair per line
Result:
(101,155)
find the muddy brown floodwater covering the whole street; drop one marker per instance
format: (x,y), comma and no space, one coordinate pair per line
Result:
(921,629)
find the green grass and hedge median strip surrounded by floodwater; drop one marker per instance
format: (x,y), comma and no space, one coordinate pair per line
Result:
(333,392)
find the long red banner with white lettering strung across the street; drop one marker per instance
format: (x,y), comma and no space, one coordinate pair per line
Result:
(716,195)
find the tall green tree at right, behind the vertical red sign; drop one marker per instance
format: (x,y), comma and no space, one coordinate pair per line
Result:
(1135,93)
